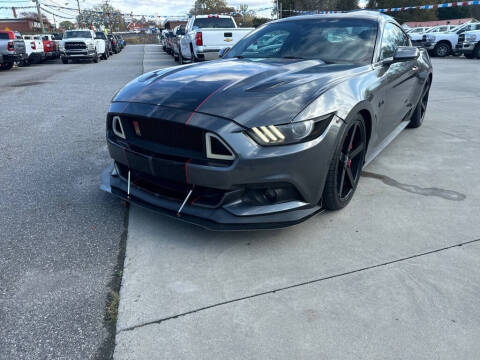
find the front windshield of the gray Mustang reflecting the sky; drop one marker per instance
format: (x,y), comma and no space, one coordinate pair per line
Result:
(332,40)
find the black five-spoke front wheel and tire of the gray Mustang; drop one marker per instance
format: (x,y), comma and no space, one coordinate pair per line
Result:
(346,166)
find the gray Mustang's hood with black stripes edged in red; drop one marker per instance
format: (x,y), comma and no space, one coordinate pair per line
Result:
(245,91)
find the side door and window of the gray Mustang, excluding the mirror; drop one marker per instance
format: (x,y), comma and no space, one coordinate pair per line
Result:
(399,80)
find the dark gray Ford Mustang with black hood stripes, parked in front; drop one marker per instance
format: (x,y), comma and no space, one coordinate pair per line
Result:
(276,130)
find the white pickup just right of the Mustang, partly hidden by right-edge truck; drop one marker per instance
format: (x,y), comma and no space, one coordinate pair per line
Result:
(445,43)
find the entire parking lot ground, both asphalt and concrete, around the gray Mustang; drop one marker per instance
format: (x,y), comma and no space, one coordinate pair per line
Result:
(393,276)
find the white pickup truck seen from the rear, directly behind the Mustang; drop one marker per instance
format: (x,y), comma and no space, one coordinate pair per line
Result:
(206,35)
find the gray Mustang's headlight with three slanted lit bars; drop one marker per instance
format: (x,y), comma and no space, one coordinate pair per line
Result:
(291,133)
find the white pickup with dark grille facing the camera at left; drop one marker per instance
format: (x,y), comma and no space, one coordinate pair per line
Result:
(81,44)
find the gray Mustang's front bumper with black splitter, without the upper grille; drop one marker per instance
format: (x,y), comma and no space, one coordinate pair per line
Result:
(301,169)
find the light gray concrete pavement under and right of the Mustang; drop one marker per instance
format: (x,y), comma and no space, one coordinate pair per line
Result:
(392,276)
